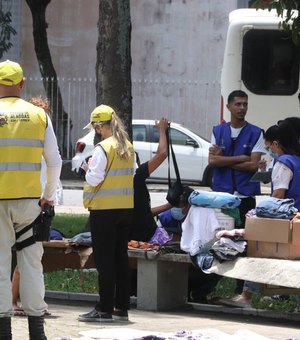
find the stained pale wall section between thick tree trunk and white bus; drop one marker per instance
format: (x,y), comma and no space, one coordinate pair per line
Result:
(177,53)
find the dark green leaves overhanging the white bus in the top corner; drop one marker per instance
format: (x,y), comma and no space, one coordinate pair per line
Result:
(289,10)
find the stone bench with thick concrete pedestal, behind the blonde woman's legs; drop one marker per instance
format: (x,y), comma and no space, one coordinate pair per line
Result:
(162,279)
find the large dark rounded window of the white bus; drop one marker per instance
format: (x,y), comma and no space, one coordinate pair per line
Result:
(275,59)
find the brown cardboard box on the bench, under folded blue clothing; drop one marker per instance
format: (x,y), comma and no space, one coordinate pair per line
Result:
(273,238)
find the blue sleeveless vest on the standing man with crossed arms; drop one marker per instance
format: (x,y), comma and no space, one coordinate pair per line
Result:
(229,180)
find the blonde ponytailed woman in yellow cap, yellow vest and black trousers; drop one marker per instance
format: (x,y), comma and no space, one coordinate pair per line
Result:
(108,195)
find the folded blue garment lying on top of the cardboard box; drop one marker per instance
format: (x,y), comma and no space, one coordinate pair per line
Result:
(276,208)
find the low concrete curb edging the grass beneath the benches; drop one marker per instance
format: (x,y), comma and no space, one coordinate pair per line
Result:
(219,309)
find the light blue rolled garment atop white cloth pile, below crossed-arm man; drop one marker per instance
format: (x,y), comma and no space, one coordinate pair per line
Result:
(207,199)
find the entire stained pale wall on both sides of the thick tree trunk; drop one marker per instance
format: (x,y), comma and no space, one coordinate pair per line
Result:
(177,53)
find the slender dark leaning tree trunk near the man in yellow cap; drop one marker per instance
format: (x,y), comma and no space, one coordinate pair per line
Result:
(48,73)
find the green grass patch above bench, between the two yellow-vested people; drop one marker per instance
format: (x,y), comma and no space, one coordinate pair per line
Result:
(70,224)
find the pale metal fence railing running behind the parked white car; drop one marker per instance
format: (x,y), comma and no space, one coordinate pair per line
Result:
(189,102)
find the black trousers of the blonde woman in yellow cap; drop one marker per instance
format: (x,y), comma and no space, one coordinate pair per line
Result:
(110,232)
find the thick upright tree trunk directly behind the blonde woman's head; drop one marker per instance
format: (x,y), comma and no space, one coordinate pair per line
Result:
(113,66)
